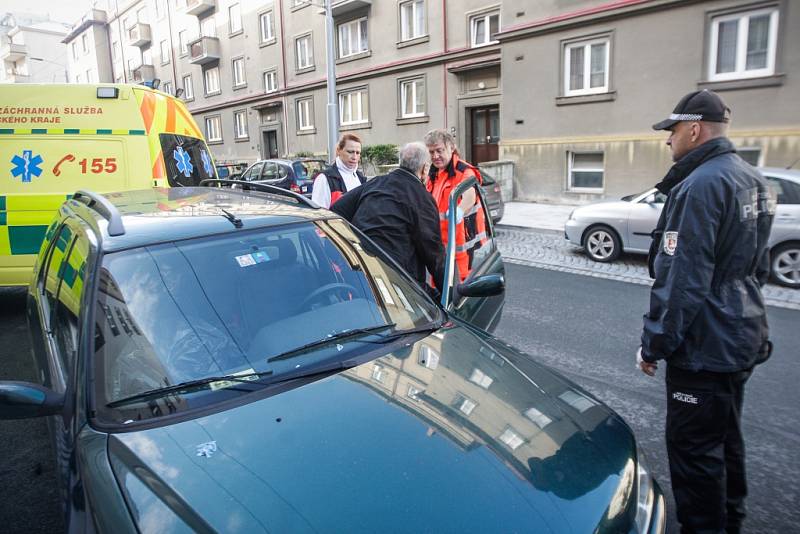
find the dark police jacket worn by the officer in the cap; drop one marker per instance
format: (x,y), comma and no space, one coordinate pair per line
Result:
(710,259)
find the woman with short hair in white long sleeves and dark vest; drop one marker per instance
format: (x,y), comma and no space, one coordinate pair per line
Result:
(343,175)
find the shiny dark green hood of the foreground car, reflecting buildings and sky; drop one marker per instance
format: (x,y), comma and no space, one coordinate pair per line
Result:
(457,432)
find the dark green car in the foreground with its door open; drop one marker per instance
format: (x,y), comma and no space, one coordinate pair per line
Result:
(217,360)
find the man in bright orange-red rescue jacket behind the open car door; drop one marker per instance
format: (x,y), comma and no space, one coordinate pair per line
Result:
(447,172)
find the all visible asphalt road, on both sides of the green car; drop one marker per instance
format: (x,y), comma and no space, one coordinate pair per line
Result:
(586,327)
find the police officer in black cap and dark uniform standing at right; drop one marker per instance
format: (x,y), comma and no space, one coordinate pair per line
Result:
(707,319)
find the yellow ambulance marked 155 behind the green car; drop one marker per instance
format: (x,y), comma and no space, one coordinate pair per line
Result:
(58,138)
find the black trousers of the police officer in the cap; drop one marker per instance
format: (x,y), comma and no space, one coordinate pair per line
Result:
(706,449)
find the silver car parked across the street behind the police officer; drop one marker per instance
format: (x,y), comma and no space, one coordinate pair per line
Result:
(606,229)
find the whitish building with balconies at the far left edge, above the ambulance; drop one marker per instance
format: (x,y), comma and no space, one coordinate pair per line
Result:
(30,49)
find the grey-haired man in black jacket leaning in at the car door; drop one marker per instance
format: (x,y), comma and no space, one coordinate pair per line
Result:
(396,212)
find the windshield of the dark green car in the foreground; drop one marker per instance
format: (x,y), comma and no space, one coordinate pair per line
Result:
(226,305)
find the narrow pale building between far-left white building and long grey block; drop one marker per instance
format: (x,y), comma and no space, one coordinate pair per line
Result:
(89,50)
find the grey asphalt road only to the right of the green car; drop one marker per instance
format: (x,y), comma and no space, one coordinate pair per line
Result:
(588,328)
